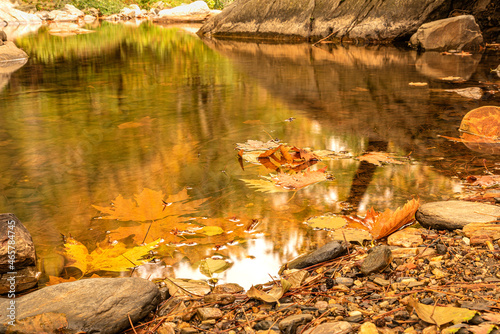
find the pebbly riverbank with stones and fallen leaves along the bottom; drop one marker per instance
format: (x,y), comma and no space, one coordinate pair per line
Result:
(440,279)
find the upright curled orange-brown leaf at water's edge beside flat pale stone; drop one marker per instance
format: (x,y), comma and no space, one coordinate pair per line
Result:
(382,224)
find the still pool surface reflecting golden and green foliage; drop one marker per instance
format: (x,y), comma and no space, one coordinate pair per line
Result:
(92,117)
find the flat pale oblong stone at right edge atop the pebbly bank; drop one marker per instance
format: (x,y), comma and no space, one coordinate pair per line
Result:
(451,215)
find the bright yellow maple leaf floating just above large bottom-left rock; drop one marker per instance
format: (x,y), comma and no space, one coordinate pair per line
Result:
(114,257)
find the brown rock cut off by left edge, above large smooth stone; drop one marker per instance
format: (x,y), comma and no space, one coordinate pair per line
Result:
(17,256)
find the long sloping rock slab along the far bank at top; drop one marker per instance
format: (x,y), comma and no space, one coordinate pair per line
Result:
(370,20)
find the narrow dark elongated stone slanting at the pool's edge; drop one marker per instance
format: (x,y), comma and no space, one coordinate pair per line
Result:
(328,252)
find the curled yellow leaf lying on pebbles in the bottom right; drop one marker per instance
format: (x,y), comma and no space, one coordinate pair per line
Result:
(439,315)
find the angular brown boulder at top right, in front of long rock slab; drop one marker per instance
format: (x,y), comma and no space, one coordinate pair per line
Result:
(454,33)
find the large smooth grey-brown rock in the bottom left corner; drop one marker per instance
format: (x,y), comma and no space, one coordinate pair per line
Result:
(96,305)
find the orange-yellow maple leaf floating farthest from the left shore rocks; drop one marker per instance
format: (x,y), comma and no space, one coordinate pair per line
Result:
(148,205)
